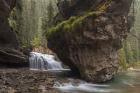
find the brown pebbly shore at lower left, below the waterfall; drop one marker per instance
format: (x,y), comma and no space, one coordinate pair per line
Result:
(22,80)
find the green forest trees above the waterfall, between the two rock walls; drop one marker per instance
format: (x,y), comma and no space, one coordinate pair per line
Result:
(30,19)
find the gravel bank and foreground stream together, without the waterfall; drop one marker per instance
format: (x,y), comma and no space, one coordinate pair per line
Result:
(23,80)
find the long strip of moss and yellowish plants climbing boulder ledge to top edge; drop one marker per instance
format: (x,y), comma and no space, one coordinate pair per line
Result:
(76,22)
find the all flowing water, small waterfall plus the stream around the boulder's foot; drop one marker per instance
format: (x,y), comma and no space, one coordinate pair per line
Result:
(123,82)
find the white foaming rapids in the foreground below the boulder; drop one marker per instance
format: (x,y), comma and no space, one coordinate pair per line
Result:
(83,87)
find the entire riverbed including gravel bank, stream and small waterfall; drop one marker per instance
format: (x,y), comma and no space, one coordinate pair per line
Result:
(46,74)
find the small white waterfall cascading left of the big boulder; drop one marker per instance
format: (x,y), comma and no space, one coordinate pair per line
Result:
(44,62)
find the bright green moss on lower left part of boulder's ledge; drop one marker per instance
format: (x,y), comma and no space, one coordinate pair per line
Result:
(72,24)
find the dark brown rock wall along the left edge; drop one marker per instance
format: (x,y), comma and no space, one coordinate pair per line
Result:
(9,47)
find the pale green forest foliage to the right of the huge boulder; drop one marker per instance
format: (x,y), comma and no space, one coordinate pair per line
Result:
(131,46)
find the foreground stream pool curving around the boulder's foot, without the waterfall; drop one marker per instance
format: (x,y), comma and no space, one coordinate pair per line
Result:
(124,82)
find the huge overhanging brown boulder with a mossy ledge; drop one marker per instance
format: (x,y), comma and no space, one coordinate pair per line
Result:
(89,35)
